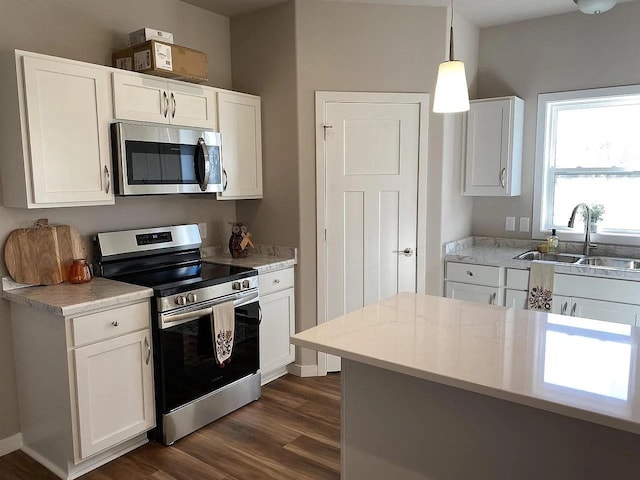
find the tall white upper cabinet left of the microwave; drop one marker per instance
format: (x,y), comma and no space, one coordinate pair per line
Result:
(55,135)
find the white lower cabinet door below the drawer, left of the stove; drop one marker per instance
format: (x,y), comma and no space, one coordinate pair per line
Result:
(114,388)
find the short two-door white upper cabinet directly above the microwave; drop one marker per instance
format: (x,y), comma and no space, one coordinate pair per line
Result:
(148,99)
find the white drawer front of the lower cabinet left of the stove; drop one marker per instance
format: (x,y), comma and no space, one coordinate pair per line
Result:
(110,323)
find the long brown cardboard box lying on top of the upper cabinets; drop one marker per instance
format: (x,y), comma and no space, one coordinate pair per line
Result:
(164,60)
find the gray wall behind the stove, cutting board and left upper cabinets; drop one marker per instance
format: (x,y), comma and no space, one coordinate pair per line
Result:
(89,30)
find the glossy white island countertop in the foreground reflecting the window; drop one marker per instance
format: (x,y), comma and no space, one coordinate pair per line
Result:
(506,353)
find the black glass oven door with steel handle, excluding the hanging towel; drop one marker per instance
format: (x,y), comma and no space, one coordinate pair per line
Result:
(187,368)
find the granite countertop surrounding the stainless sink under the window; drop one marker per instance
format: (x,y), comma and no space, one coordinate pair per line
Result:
(501,252)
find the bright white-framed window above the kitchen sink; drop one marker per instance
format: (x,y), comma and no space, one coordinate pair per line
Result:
(588,151)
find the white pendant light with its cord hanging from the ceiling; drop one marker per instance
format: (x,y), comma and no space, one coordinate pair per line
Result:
(452,93)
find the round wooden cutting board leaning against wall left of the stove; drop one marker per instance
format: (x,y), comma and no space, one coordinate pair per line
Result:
(43,254)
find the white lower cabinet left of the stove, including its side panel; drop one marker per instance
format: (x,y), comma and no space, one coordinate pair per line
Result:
(85,384)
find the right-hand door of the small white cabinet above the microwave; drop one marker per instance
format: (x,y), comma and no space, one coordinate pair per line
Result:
(193,106)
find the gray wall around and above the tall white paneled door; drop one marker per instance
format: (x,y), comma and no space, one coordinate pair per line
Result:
(352,47)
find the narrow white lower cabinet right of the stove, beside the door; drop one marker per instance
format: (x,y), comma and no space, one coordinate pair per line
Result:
(277,301)
